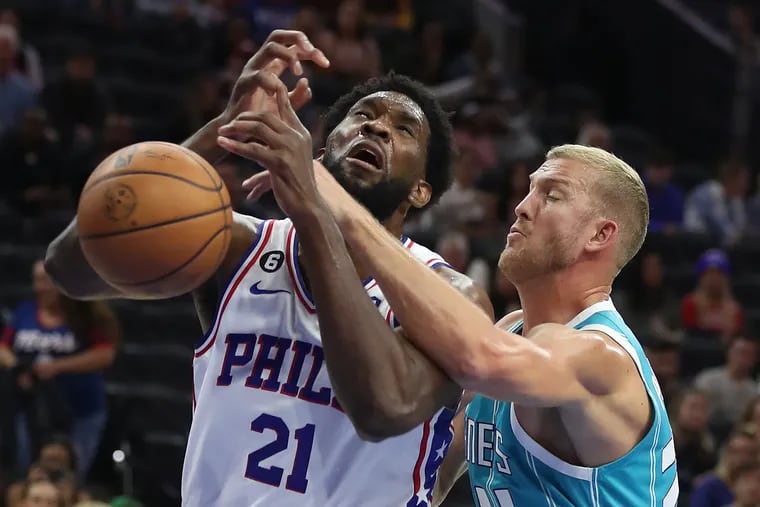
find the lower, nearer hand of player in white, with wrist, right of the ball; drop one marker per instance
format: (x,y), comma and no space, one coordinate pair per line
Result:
(281,144)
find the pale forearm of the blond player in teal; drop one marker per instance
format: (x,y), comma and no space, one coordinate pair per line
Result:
(445,325)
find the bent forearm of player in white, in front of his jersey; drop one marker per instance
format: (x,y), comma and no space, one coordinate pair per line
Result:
(375,378)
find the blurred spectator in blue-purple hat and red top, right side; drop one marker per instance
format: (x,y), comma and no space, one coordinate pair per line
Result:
(711,308)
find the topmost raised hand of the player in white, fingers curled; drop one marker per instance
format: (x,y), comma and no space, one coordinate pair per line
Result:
(283,49)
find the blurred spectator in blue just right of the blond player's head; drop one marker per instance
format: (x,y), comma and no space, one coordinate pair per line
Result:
(665,198)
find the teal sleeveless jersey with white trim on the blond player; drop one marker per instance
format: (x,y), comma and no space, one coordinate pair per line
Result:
(509,469)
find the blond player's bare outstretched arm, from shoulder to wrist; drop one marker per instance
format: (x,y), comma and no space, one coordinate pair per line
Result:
(554,365)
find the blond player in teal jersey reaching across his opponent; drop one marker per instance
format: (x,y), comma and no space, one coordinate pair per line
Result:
(568,410)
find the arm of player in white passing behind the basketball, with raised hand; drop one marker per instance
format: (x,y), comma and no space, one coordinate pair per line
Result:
(64,260)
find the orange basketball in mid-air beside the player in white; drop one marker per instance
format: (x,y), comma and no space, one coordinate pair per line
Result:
(154,219)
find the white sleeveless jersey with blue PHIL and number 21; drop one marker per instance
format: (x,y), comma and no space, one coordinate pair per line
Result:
(267,429)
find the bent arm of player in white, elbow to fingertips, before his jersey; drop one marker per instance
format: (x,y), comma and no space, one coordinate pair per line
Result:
(385,385)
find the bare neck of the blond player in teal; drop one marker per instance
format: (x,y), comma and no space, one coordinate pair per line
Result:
(558,298)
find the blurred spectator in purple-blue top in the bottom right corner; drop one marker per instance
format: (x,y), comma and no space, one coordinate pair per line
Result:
(714,490)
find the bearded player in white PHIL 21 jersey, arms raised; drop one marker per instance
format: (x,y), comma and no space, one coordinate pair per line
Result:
(288,306)
